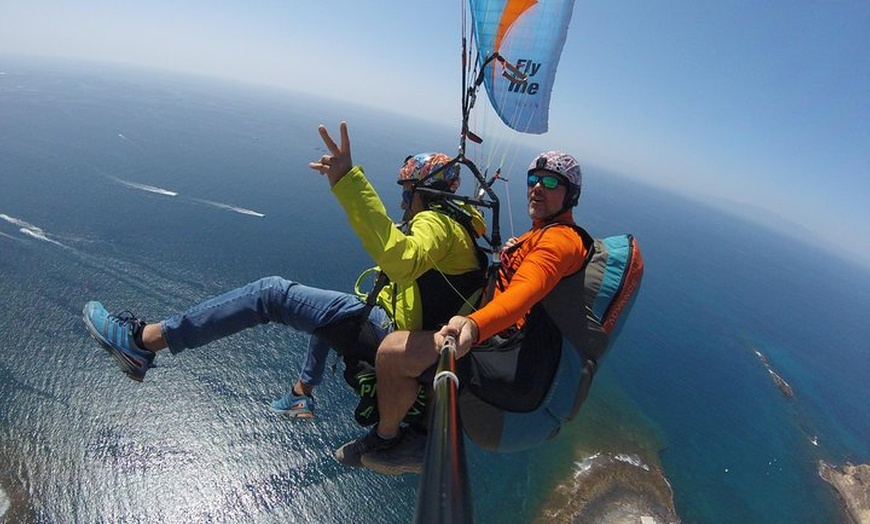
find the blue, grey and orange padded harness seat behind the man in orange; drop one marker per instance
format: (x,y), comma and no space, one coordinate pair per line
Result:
(584,312)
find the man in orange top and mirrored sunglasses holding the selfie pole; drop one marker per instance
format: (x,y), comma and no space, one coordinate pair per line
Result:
(531,266)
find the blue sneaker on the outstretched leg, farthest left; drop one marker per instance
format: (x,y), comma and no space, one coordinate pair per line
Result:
(115,334)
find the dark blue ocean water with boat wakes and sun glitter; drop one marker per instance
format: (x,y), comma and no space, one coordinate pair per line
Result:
(152,192)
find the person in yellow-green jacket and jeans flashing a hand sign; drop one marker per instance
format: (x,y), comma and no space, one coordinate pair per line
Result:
(430,265)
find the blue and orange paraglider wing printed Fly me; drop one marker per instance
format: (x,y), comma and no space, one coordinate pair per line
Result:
(529,35)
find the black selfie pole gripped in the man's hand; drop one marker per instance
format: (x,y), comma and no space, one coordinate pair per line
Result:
(444,494)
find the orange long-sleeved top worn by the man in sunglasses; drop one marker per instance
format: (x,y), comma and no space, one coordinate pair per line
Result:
(530,270)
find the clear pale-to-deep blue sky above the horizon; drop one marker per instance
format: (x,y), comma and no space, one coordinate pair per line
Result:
(760,107)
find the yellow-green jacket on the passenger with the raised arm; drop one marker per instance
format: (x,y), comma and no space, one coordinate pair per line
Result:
(434,263)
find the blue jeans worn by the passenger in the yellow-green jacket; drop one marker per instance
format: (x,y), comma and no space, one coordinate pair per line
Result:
(272,299)
